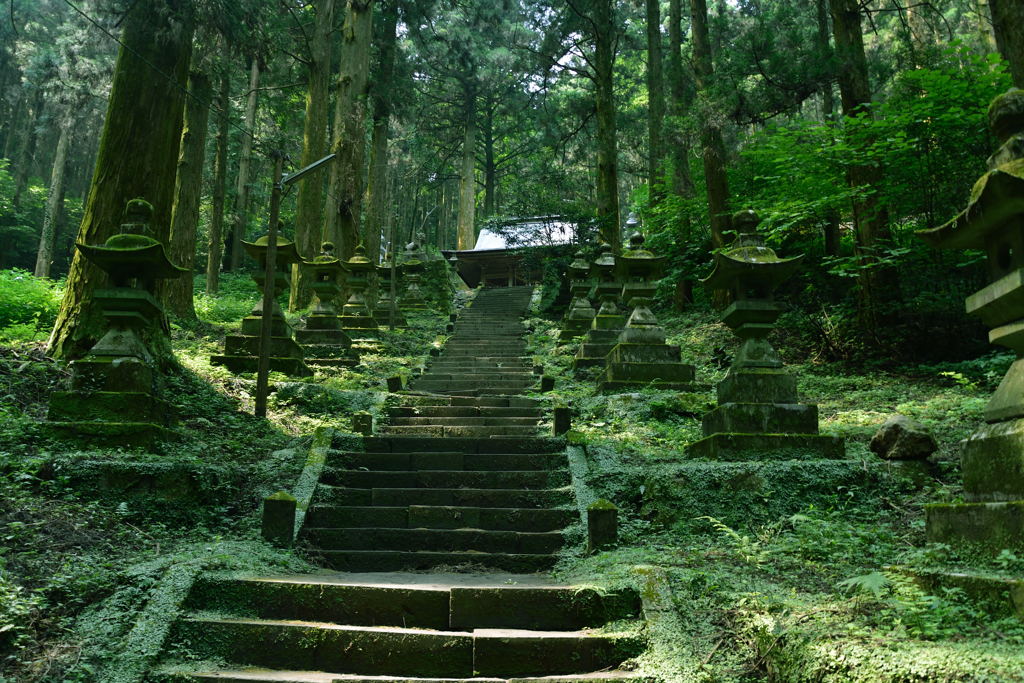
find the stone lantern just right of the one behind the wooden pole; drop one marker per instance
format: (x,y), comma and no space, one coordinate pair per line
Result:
(324,340)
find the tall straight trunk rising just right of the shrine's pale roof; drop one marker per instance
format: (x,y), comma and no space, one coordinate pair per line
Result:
(605,104)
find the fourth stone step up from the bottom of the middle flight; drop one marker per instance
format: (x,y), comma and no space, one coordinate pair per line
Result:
(474,498)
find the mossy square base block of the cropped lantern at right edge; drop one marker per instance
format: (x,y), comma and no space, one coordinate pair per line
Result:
(989,527)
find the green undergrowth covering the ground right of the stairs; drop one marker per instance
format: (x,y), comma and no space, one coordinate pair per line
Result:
(788,571)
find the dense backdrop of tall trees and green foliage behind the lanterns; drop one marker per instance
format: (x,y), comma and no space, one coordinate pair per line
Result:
(846,125)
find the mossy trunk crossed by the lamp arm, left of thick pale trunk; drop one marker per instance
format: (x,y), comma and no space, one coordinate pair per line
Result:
(310,203)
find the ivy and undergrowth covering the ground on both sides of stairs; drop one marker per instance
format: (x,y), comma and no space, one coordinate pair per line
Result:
(767,572)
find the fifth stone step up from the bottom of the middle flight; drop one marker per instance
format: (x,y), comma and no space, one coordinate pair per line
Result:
(446,479)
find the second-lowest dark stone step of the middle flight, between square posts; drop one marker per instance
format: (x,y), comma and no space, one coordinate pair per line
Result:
(435,540)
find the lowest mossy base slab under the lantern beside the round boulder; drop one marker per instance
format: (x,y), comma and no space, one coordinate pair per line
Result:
(732,447)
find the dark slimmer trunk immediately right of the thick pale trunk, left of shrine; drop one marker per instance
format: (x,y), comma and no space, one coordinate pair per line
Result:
(382,93)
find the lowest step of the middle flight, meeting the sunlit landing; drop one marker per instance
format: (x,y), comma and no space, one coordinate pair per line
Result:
(391,561)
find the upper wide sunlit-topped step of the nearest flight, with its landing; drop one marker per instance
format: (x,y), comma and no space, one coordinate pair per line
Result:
(433,602)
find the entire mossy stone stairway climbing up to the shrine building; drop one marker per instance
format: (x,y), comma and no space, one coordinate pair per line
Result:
(460,478)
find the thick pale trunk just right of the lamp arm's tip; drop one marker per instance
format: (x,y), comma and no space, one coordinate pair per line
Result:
(346,198)
